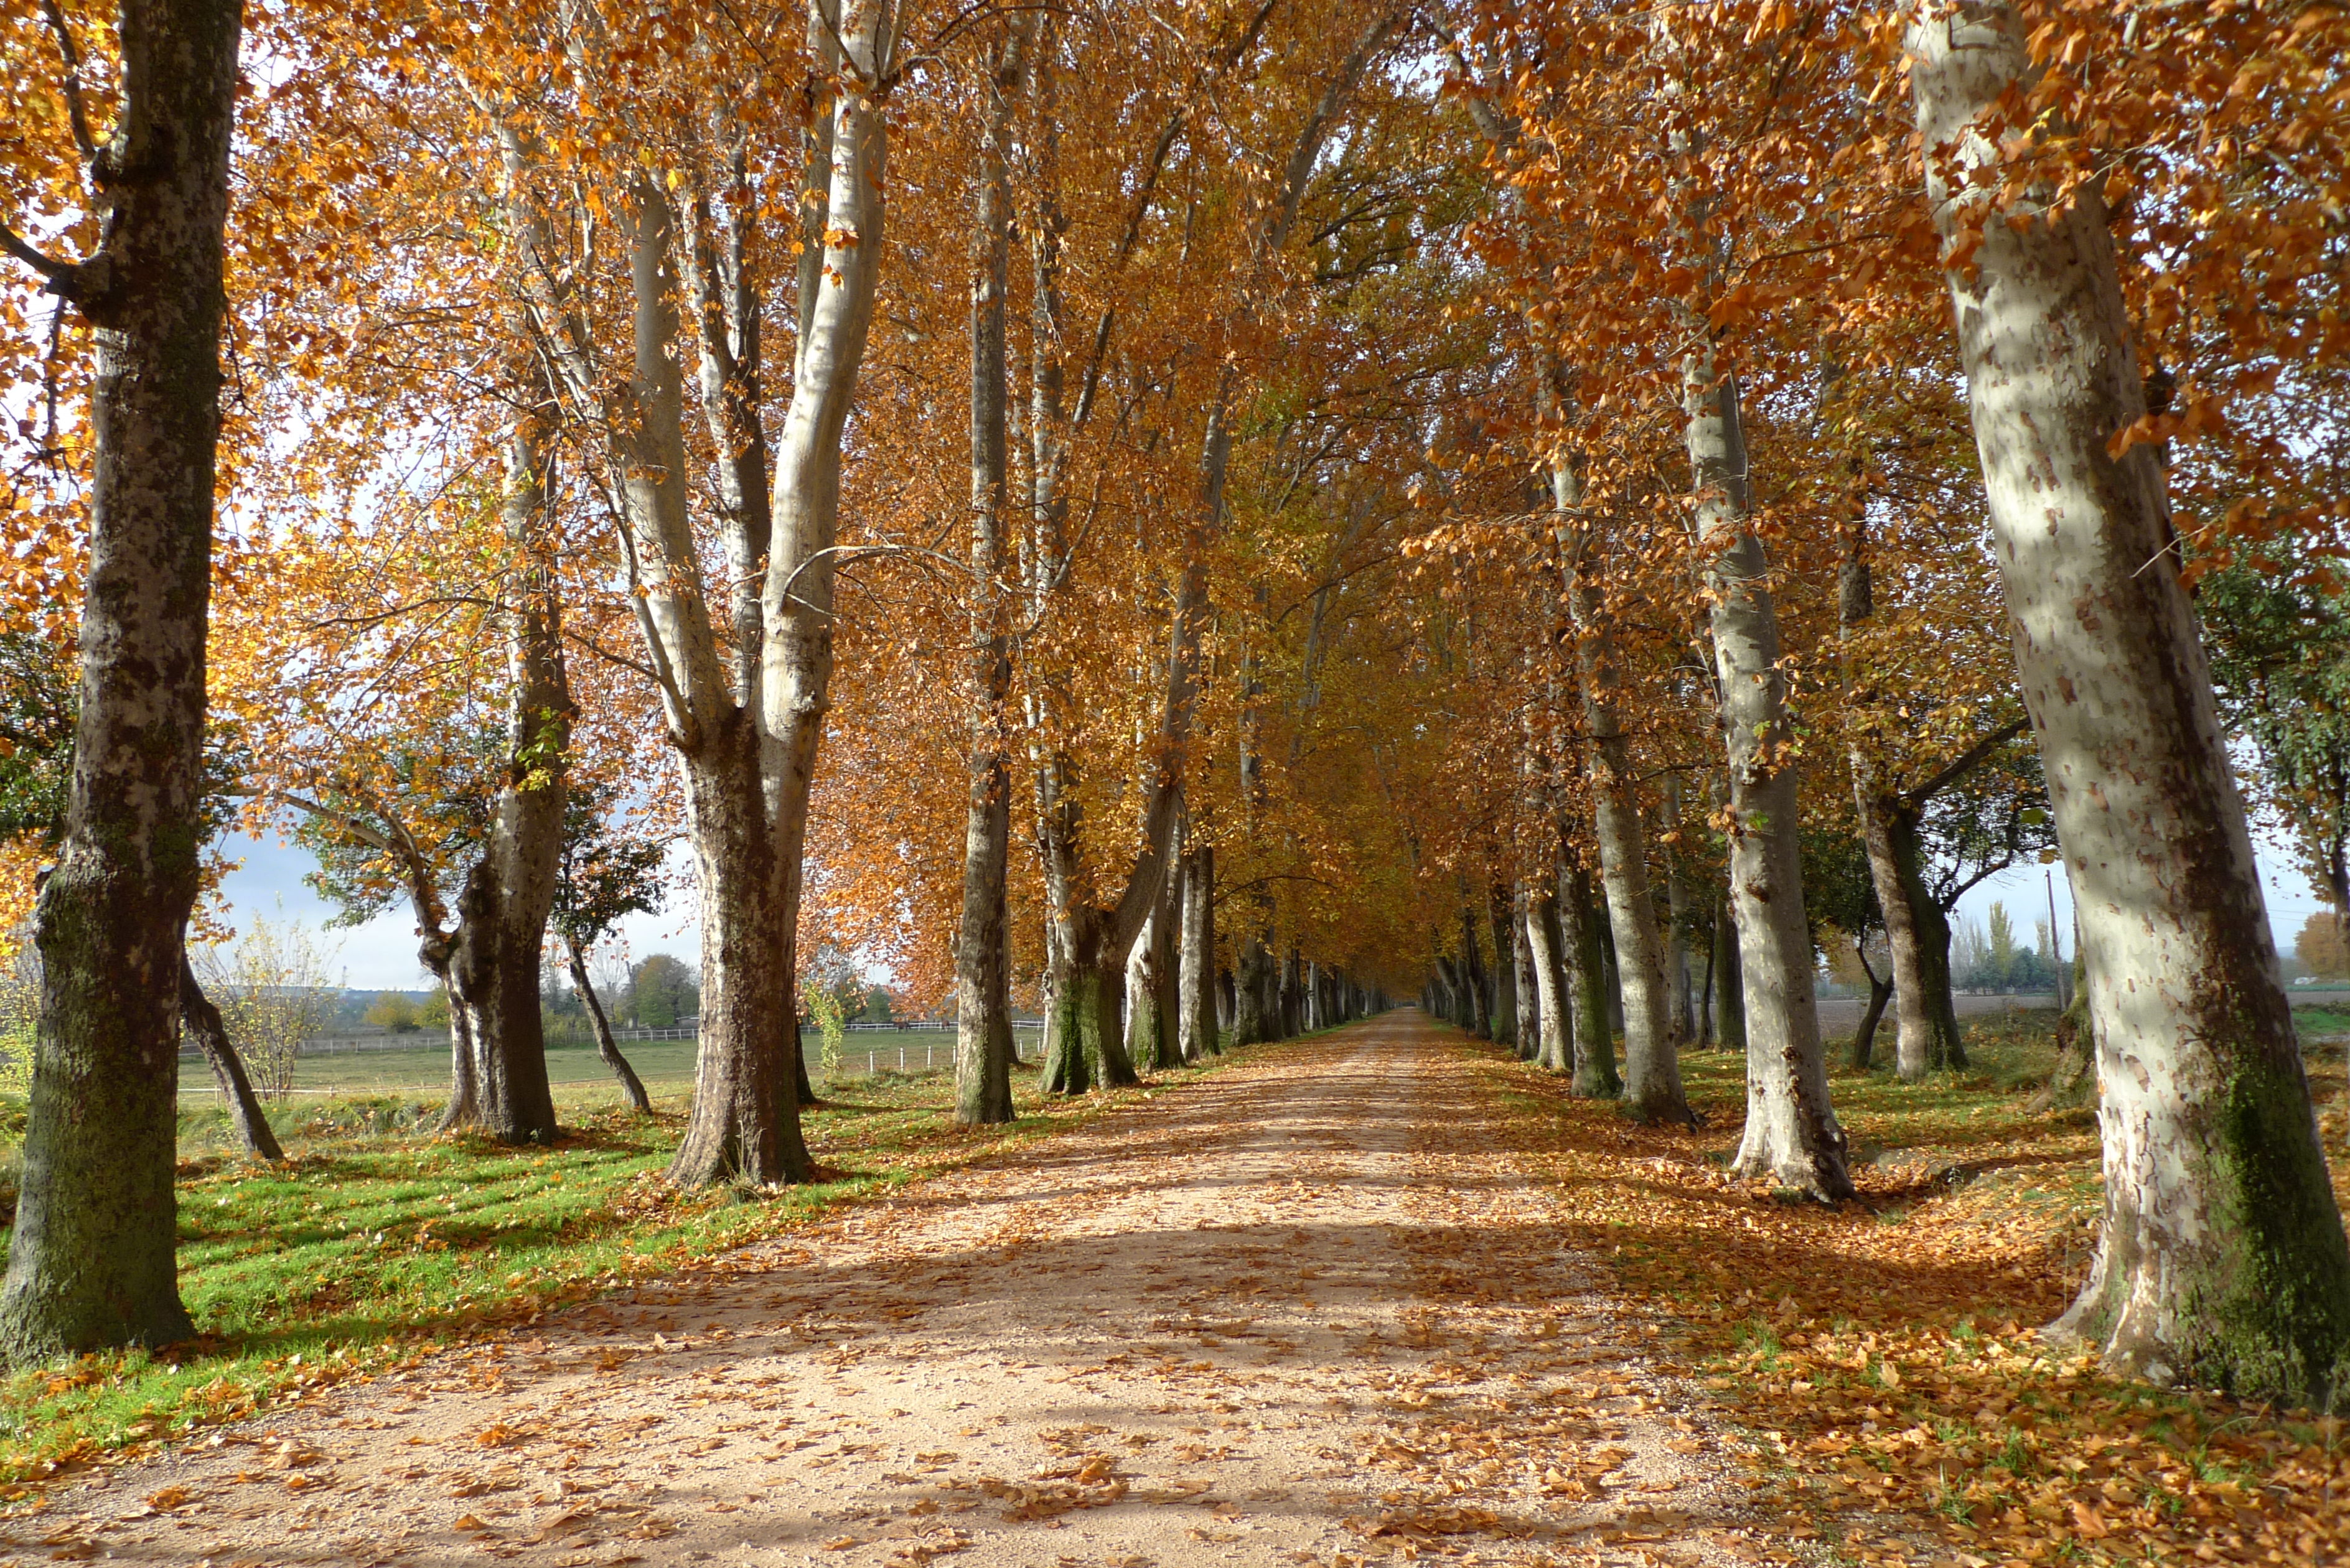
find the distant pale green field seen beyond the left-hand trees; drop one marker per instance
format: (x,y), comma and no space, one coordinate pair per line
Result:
(579,1076)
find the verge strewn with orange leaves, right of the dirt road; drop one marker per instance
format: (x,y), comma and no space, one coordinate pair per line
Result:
(1884,1362)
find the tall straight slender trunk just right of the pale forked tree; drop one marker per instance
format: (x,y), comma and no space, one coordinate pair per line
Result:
(983,1019)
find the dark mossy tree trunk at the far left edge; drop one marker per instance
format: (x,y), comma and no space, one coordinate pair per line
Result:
(93,1254)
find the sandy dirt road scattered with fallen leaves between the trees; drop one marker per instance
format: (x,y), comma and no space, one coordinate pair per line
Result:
(1296,1313)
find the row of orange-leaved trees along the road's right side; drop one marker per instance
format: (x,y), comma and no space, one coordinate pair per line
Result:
(1759,495)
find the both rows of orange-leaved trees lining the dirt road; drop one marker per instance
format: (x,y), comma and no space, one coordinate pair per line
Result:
(1228,516)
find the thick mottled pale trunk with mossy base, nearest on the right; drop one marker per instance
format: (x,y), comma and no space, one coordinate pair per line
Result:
(2224,1257)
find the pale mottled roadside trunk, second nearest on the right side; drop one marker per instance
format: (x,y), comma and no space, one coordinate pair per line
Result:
(1792,1132)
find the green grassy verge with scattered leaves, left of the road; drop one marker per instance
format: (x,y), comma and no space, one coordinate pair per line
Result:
(377,1242)
